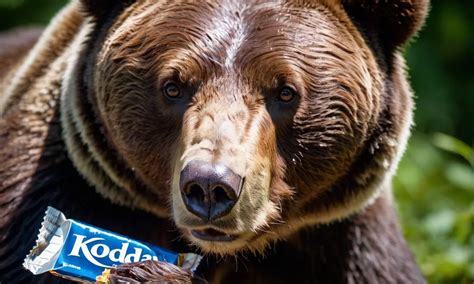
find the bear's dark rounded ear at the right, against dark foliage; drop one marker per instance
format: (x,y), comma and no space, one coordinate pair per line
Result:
(391,22)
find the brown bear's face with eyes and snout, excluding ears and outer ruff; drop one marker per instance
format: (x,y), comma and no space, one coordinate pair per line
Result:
(242,116)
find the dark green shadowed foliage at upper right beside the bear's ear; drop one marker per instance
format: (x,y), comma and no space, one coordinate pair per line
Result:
(441,64)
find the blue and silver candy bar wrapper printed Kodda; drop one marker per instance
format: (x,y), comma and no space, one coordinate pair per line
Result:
(79,251)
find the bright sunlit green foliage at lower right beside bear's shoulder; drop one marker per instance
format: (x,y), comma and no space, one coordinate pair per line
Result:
(435,193)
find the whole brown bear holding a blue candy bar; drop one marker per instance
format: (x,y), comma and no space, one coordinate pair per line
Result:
(262,134)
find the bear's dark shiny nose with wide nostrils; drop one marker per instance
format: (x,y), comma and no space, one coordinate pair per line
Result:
(209,190)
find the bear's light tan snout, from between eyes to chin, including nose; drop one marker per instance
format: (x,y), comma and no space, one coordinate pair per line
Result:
(224,169)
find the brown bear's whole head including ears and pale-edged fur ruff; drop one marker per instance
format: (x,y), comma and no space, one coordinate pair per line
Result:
(243,122)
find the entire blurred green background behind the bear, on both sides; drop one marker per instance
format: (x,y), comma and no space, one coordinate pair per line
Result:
(434,185)
